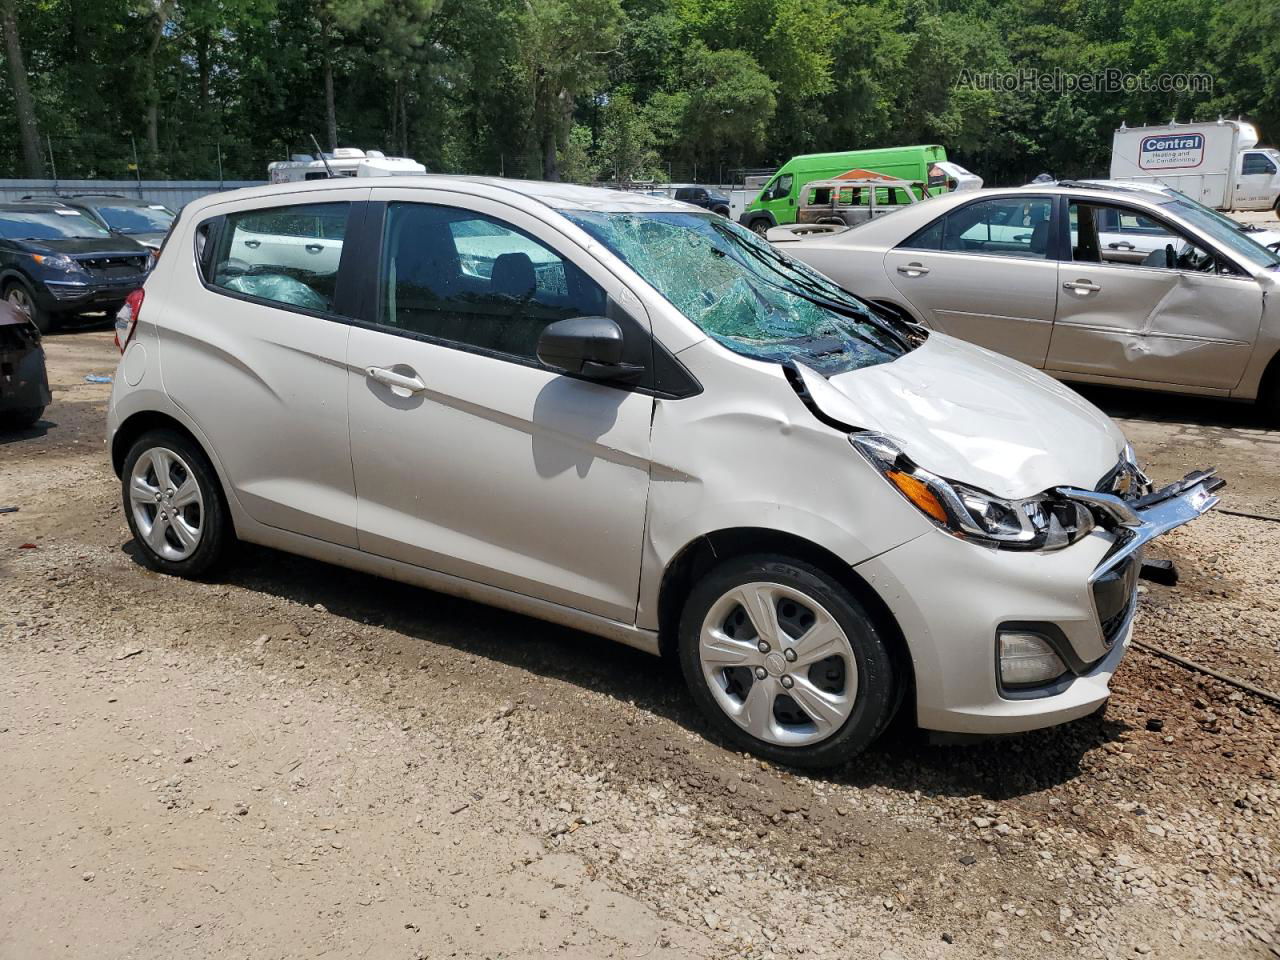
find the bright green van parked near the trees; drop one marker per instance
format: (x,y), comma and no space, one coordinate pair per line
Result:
(780,198)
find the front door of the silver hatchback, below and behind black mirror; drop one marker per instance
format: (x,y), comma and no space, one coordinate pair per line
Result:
(472,458)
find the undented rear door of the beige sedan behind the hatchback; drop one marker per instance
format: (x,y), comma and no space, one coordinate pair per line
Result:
(988,273)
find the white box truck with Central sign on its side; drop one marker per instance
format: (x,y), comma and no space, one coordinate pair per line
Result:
(1219,164)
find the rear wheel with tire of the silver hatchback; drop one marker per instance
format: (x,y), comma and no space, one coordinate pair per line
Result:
(175,505)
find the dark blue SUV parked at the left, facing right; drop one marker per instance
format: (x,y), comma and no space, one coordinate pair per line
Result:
(56,263)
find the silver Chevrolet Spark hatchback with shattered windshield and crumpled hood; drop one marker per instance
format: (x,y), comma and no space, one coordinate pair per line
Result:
(634,418)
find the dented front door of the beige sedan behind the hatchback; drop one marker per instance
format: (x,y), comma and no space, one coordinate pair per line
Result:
(1181,317)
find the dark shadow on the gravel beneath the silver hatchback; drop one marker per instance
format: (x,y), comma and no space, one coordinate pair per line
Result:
(903,760)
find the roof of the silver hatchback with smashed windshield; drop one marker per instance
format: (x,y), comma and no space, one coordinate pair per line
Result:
(557,196)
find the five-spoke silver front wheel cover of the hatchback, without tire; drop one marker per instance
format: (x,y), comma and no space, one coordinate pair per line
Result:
(779,664)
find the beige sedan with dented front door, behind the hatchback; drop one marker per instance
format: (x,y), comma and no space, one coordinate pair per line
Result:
(1090,284)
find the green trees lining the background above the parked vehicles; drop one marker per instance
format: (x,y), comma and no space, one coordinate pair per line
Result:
(628,89)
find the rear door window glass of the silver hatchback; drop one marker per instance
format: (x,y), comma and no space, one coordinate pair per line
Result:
(287,255)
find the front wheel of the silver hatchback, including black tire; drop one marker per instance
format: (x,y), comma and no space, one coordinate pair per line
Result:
(785,662)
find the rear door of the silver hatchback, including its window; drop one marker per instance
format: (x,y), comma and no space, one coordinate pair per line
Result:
(255,351)
